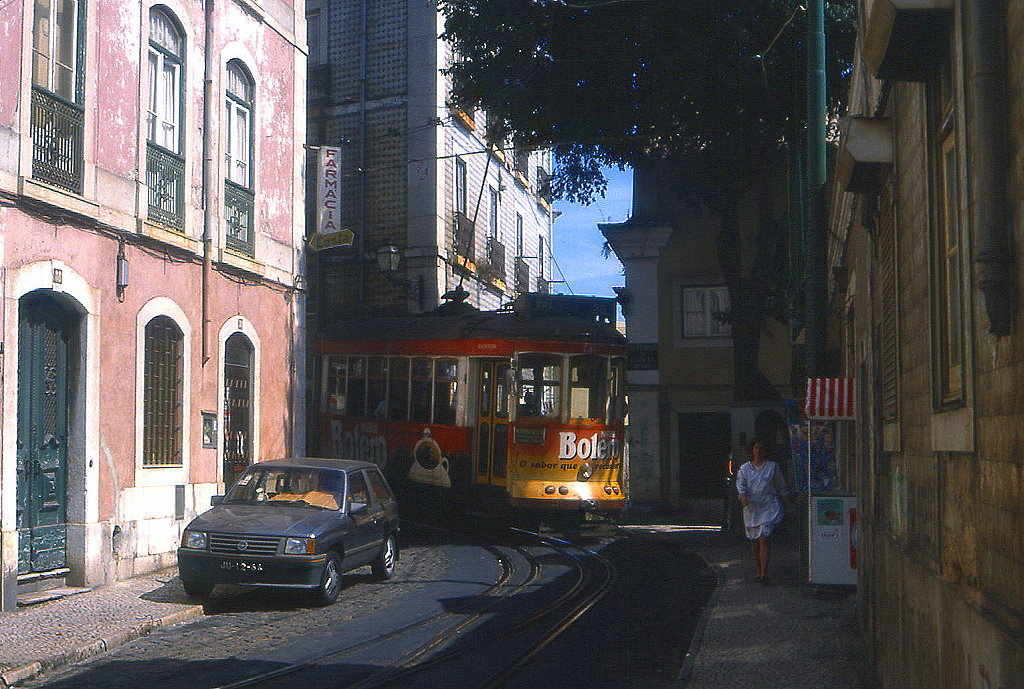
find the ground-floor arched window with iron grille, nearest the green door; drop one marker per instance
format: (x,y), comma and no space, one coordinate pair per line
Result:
(162,394)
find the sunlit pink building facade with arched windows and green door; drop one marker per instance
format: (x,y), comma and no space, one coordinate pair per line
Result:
(151,273)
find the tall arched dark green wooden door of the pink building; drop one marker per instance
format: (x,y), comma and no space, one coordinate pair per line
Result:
(42,435)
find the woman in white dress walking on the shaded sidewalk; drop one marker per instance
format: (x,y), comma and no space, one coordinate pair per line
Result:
(761,487)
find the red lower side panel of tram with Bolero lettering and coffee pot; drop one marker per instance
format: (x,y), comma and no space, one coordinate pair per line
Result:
(407,451)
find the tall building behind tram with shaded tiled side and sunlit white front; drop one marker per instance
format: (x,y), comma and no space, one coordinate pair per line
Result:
(417,176)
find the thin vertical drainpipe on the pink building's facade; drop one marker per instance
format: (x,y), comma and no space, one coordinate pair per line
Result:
(209,214)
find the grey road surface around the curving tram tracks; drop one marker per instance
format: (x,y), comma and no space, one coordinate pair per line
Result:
(635,636)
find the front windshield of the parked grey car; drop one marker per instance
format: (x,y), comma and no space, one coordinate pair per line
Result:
(322,489)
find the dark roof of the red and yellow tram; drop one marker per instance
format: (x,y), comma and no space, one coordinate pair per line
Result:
(525,323)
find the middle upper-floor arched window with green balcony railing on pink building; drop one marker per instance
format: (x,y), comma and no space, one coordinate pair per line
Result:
(165,174)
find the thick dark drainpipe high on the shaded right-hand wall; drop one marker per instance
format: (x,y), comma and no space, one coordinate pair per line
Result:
(987,88)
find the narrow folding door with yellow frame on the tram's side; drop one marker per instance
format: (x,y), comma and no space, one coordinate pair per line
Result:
(492,422)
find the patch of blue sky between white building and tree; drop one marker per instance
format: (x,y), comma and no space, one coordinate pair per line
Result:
(578,242)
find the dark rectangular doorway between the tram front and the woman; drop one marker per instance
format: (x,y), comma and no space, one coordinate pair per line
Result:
(704,452)
